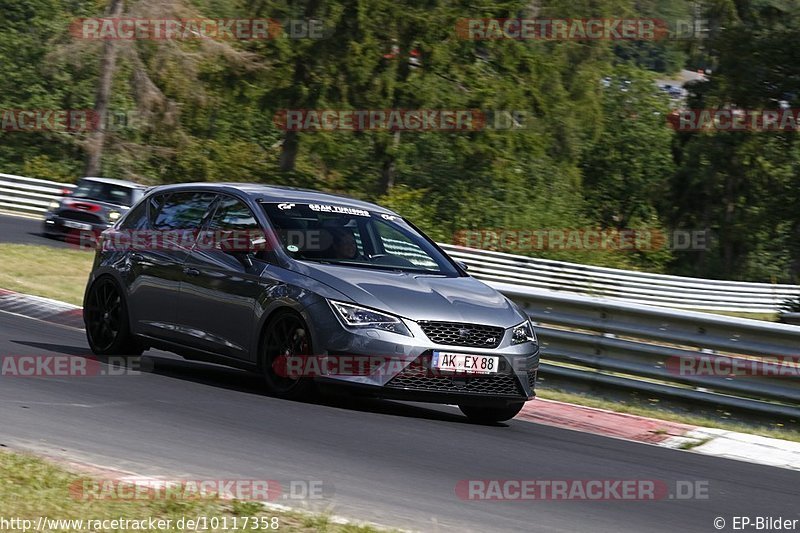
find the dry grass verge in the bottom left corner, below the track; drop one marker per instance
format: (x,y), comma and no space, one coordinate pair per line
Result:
(31,488)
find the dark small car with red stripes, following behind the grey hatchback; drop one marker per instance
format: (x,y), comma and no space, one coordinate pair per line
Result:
(90,208)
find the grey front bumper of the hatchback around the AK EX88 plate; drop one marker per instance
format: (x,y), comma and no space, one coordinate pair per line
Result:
(406,372)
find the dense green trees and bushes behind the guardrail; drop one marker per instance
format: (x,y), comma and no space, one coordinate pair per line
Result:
(592,148)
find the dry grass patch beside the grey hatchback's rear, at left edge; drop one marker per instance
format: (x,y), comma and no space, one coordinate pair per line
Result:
(55,273)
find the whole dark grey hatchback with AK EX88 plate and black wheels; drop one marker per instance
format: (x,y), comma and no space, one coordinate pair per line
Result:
(307,288)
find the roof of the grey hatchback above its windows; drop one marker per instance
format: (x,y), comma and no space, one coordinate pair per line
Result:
(278,193)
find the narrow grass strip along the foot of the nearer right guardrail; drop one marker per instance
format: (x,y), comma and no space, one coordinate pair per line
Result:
(775,431)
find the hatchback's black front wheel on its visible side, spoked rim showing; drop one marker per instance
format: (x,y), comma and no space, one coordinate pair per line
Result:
(286,335)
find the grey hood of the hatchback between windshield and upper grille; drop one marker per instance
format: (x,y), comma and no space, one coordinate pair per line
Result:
(418,296)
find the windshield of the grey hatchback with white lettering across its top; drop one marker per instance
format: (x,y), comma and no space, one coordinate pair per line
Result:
(329,233)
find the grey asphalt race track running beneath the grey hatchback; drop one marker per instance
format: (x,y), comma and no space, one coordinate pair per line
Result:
(388,462)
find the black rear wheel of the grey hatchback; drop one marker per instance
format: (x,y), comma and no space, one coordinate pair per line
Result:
(105,316)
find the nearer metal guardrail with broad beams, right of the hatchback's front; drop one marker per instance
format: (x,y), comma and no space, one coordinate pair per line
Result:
(671,353)
